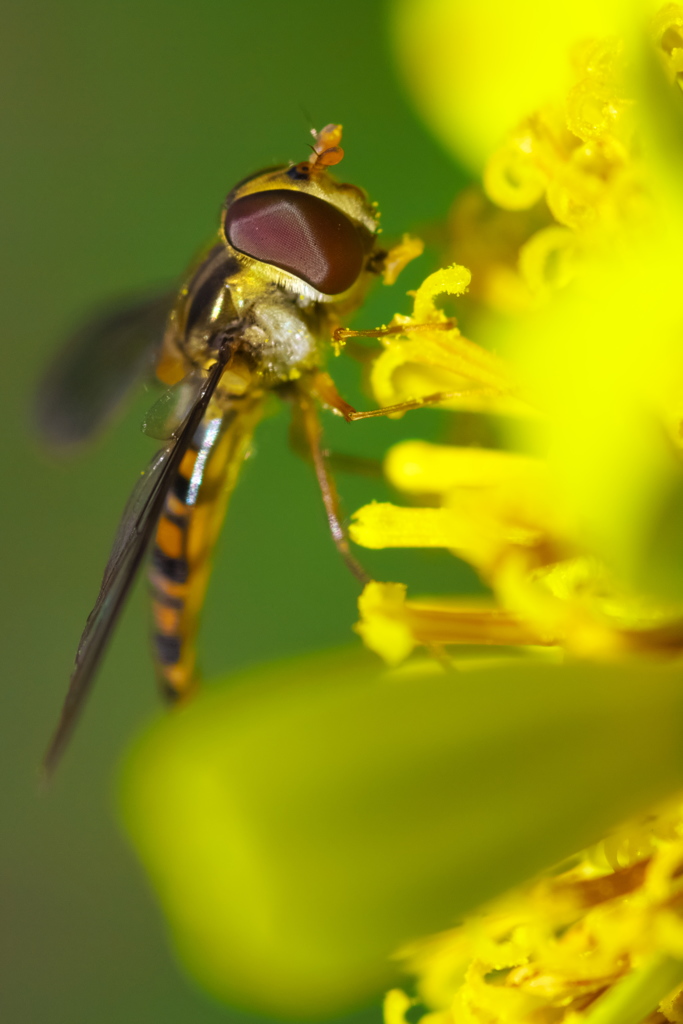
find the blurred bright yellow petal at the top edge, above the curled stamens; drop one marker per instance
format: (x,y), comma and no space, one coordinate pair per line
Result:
(477,70)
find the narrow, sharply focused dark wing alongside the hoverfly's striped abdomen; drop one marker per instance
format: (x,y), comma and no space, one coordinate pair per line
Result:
(133,539)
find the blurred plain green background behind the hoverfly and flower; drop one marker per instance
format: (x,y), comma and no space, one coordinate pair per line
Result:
(124,124)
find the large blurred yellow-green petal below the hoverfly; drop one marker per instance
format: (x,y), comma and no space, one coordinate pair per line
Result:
(302,823)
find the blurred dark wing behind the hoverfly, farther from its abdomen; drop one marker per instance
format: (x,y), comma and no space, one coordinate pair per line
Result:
(98,367)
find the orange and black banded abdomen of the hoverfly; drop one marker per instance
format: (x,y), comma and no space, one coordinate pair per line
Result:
(186,537)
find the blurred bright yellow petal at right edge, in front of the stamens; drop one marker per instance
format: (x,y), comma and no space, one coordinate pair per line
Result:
(614,336)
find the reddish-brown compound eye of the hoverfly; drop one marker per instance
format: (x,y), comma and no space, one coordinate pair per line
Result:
(298,233)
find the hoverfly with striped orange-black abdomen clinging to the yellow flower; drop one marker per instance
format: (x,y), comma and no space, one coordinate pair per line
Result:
(296,251)
